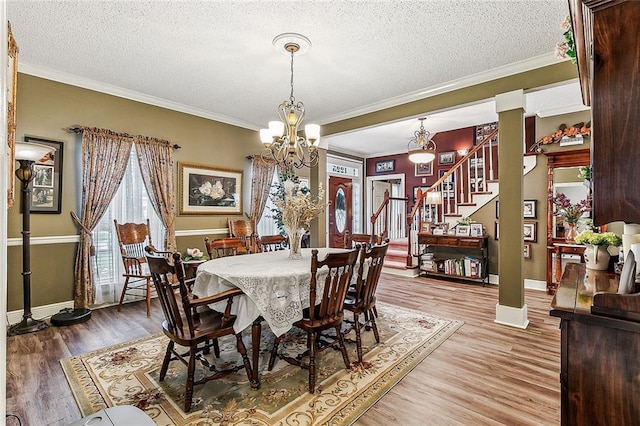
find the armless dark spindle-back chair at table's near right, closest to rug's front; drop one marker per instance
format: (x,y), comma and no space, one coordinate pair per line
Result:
(326,310)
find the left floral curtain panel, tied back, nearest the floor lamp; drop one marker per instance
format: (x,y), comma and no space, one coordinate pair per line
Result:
(105,155)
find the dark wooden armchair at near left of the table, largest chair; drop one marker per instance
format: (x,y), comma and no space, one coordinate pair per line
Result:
(184,326)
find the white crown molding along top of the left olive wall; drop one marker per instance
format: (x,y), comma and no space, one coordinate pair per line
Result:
(86,83)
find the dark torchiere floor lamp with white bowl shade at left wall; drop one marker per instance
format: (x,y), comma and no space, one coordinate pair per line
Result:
(26,155)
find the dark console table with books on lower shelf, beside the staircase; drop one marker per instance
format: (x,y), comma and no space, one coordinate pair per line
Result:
(455,256)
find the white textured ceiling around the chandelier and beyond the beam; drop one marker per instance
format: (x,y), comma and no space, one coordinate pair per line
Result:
(215,58)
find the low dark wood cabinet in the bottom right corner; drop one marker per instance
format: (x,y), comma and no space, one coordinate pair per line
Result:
(600,349)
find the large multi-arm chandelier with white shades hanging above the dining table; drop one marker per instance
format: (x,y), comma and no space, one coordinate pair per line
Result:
(281,141)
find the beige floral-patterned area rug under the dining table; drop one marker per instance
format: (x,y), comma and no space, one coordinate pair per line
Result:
(127,374)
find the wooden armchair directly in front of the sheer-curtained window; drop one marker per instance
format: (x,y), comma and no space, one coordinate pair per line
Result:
(132,239)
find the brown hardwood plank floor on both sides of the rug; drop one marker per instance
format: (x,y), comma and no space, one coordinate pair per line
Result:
(485,374)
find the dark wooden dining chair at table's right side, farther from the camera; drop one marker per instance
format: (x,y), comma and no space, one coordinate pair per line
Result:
(361,300)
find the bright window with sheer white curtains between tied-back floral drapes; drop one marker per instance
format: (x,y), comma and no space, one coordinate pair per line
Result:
(130,204)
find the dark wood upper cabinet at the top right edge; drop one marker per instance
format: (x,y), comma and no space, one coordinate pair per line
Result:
(607,37)
